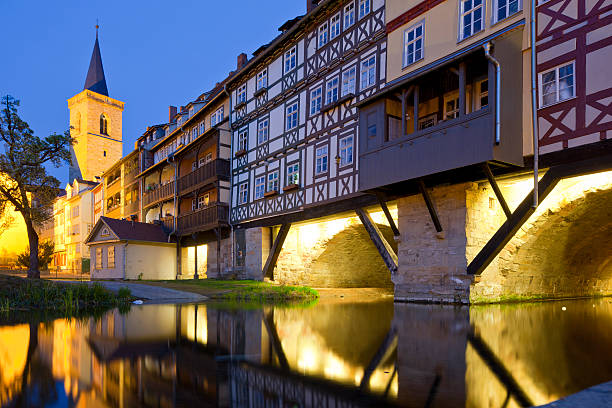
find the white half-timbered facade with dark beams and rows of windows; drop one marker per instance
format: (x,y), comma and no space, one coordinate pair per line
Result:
(294,119)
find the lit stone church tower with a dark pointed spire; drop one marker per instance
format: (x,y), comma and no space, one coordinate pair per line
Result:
(96,124)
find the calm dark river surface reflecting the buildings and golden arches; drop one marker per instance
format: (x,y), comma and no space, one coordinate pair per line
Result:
(328,355)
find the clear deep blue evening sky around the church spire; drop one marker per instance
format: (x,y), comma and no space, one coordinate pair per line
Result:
(155,53)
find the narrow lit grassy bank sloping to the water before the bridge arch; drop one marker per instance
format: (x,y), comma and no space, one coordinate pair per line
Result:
(241,291)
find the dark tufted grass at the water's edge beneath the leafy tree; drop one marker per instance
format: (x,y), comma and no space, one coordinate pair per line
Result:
(19,294)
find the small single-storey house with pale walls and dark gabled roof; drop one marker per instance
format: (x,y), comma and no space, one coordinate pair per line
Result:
(122,249)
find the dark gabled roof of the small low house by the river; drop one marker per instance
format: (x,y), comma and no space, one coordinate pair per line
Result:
(130,231)
